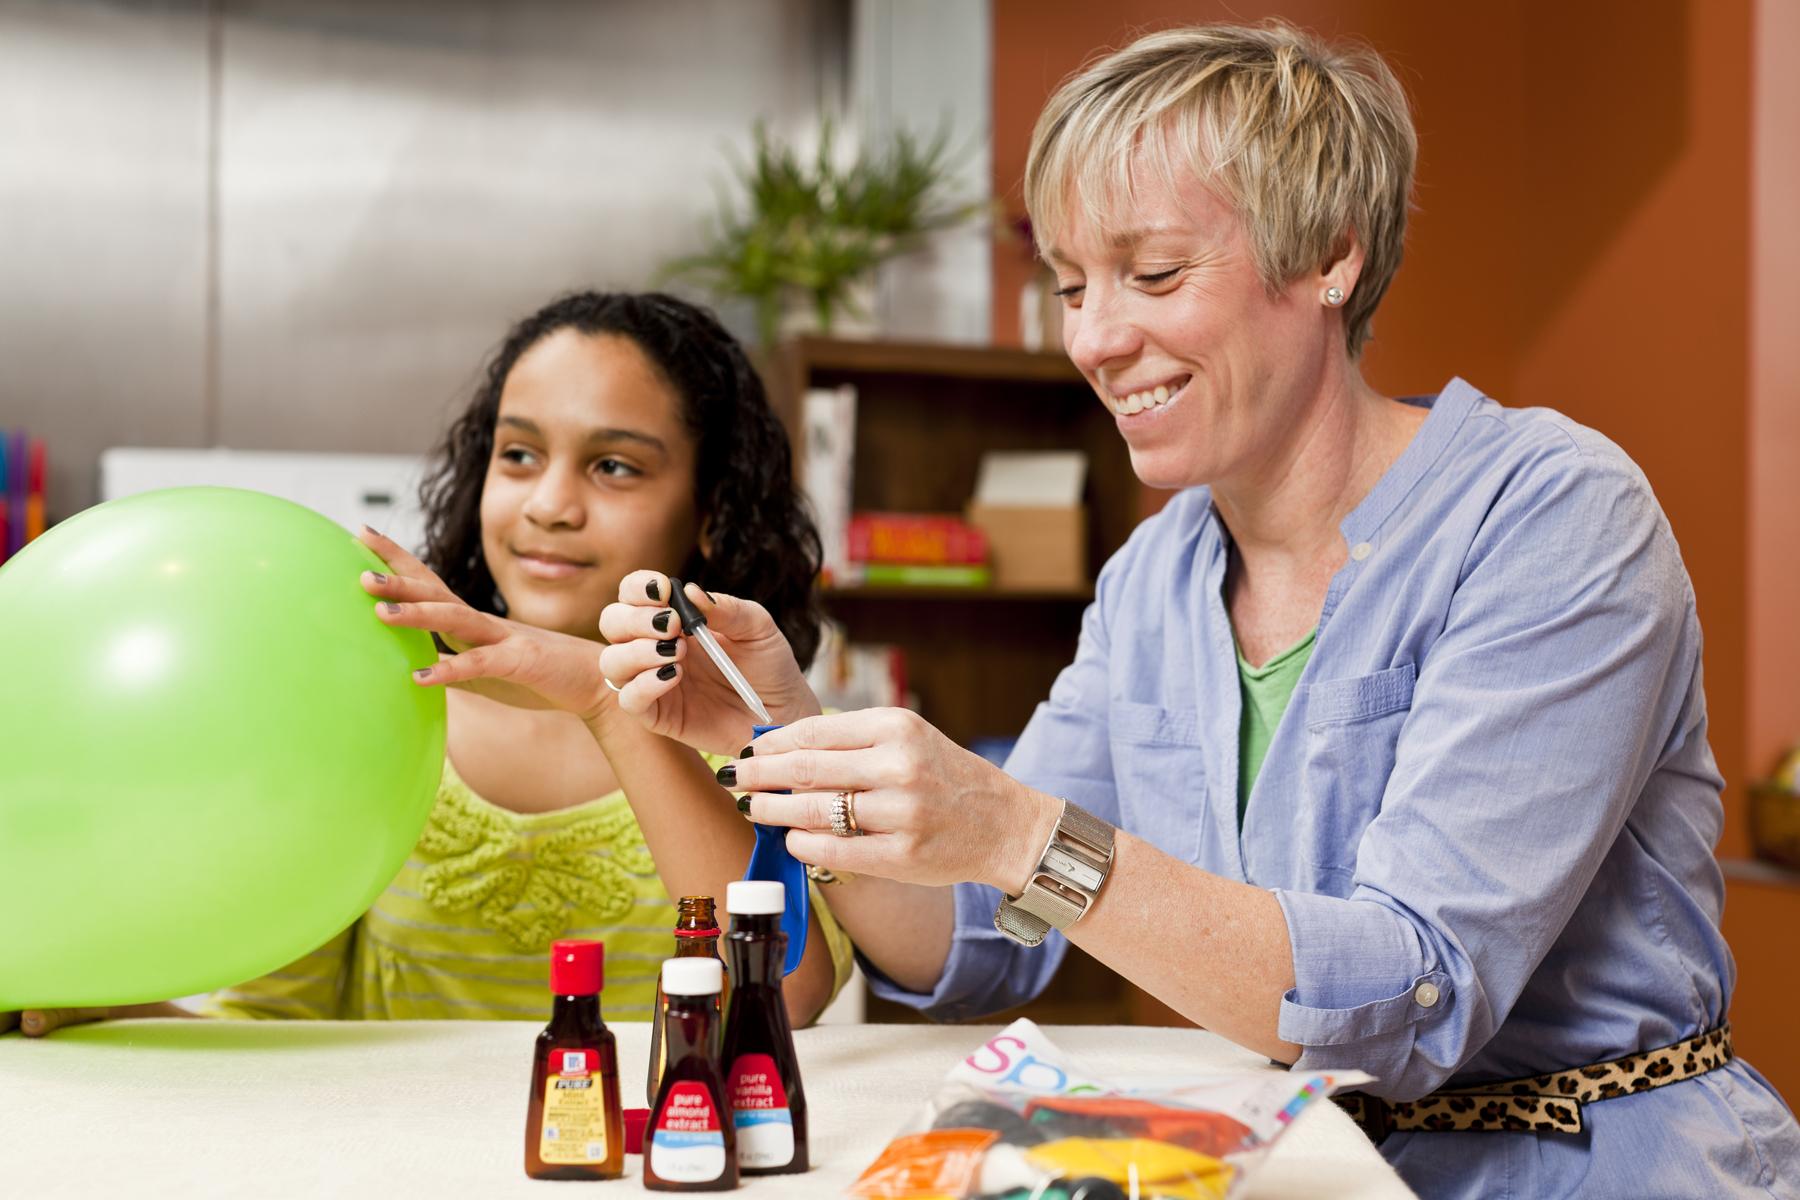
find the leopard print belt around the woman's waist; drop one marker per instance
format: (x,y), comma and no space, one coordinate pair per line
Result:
(1549,1104)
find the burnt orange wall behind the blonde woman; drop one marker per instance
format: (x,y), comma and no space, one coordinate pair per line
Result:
(1581,242)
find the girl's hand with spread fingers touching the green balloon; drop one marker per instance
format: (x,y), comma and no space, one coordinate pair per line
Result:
(514,663)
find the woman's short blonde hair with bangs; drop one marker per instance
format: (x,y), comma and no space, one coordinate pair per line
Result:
(1304,141)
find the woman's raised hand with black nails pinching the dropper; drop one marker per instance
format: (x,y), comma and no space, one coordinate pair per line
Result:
(674,688)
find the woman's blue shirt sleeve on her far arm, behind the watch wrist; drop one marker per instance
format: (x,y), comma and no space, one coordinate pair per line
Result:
(1065,751)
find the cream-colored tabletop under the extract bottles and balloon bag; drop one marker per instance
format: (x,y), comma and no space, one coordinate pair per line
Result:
(436,1109)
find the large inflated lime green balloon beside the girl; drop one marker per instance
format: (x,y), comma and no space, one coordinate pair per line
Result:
(211,753)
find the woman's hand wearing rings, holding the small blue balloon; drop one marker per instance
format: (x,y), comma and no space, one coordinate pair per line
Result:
(930,810)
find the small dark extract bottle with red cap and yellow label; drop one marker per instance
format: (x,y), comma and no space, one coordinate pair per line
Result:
(575,1127)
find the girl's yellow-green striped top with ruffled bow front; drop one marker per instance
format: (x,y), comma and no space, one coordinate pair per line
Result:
(467,926)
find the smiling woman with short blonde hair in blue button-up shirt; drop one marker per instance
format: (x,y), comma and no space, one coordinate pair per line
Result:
(1385,746)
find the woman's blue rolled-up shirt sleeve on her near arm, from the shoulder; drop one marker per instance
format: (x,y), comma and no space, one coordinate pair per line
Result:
(1567,672)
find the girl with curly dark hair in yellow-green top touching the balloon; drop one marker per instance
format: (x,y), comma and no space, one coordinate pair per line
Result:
(609,434)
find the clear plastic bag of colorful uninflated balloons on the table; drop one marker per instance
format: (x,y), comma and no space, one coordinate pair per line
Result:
(1020,1122)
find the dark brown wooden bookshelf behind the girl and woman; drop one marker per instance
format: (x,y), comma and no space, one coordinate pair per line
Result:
(980,659)
